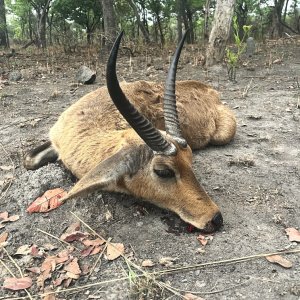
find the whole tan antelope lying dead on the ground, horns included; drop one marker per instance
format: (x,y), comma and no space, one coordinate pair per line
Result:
(142,146)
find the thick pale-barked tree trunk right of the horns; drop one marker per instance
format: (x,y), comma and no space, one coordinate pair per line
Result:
(220,31)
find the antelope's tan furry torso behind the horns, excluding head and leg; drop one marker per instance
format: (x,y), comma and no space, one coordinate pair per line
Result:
(93,129)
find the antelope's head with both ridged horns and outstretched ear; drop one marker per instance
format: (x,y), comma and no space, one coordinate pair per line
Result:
(152,164)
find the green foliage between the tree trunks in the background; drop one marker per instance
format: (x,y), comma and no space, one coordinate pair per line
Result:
(161,21)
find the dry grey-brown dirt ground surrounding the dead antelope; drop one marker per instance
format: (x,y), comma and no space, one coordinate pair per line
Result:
(255,180)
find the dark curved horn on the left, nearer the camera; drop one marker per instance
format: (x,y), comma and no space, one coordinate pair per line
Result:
(151,136)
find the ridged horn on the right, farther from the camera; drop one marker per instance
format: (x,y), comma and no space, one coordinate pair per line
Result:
(170,110)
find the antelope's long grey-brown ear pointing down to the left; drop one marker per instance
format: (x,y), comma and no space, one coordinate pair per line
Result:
(108,175)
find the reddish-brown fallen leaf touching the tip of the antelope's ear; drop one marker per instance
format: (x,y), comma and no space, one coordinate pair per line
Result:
(50,200)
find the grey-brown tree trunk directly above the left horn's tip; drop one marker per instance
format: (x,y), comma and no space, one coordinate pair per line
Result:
(110,26)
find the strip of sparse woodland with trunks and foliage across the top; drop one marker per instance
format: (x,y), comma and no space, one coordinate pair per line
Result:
(72,25)
